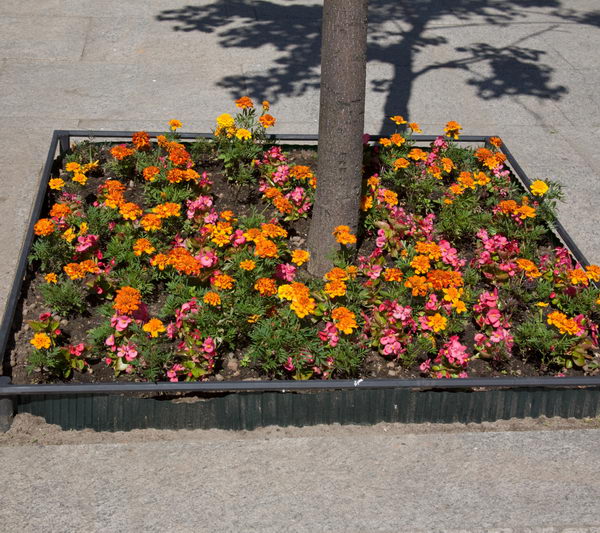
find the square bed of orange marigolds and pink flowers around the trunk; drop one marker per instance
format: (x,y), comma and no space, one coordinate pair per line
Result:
(163,260)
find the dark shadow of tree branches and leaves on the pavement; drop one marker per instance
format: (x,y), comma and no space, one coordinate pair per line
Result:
(398,32)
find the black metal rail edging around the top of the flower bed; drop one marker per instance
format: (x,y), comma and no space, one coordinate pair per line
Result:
(63,137)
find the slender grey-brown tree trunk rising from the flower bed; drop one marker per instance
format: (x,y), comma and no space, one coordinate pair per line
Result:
(341,125)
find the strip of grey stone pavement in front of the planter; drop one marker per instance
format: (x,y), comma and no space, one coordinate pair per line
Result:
(368,482)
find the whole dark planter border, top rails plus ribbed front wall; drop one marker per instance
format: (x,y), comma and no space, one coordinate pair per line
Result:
(251,404)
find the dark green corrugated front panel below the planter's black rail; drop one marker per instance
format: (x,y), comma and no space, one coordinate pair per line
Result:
(250,410)
